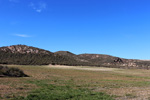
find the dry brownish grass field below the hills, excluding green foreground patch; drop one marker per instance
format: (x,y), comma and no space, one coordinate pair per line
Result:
(120,84)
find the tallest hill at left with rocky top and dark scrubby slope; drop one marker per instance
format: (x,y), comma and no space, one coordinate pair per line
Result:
(28,55)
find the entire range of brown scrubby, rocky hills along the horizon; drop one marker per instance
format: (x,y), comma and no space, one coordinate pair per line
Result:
(28,55)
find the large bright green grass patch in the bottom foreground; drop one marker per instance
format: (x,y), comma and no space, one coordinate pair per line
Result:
(67,92)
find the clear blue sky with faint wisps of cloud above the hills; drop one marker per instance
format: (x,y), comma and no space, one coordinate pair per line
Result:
(115,27)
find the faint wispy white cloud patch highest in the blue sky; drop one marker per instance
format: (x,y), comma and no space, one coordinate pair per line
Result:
(38,7)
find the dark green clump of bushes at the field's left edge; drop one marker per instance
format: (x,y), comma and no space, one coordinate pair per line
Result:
(11,72)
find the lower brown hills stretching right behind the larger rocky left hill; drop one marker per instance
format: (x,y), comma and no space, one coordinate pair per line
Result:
(106,60)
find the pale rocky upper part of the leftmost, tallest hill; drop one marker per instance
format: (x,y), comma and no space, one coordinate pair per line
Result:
(24,49)
